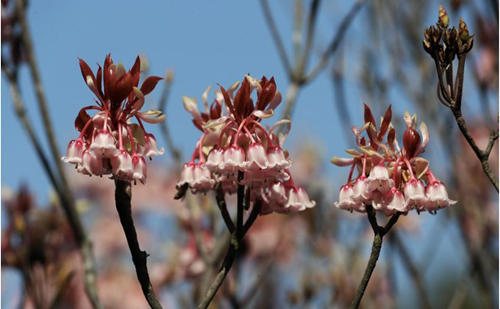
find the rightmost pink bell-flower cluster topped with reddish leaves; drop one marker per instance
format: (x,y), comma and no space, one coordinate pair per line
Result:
(390,179)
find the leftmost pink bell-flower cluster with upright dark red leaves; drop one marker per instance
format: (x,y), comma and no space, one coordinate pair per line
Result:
(109,143)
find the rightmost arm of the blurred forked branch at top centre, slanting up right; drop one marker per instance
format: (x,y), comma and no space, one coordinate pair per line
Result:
(335,43)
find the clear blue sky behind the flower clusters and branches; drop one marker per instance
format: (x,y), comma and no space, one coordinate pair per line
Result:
(203,42)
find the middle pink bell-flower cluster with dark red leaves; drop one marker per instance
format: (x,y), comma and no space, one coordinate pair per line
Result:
(236,149)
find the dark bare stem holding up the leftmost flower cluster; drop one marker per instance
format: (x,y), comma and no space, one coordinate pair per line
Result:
(123,195)
